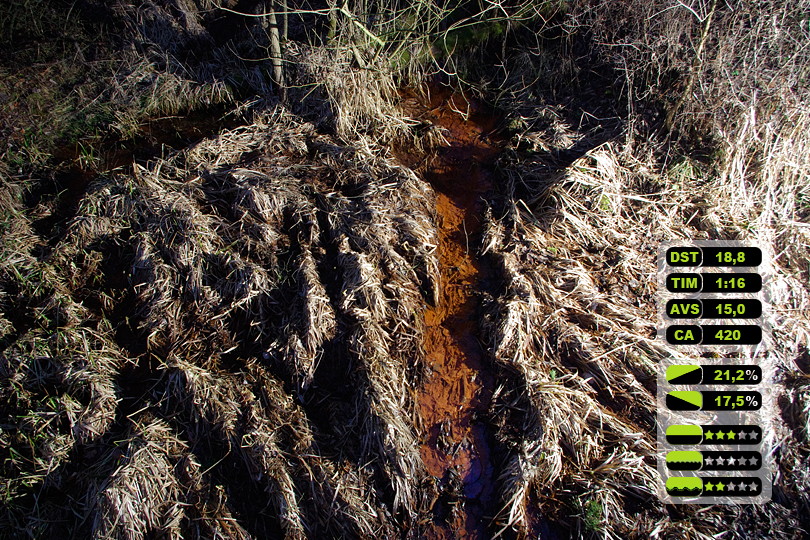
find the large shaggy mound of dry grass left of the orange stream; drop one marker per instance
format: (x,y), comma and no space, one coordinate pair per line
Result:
(266,287)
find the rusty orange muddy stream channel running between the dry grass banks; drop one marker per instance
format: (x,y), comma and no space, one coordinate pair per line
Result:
(458,387)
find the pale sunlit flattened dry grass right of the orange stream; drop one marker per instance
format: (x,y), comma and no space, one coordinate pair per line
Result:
(574,334)
